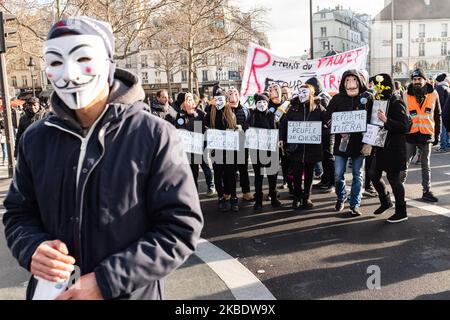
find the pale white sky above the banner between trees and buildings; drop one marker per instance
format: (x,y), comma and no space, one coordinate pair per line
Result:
(288,20)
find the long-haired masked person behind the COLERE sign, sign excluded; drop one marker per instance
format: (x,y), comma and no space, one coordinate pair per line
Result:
(221,117)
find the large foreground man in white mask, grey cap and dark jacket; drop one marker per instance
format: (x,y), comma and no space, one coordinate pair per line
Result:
(113,190)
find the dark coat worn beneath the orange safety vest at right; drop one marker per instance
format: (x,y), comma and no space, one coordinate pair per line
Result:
(419,138)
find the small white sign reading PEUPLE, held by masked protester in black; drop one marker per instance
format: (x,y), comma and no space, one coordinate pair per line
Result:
(305,132)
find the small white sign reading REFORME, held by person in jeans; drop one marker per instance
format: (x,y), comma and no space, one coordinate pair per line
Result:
(349,121)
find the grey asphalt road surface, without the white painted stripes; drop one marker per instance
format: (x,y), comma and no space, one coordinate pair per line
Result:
(319,254)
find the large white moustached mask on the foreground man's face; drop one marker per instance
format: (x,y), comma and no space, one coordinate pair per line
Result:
(78,67)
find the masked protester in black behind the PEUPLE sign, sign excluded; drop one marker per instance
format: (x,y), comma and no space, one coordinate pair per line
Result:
(302,157)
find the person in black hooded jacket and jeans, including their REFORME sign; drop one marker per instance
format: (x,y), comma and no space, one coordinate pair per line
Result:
(350,112)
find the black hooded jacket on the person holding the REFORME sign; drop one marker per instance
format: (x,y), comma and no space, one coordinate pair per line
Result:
(342,102)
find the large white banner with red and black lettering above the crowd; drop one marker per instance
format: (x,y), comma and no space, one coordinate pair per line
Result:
(263,67)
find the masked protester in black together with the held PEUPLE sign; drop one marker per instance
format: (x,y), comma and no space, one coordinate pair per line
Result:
(300,138)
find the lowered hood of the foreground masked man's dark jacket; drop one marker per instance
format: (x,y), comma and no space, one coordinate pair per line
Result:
(125,91)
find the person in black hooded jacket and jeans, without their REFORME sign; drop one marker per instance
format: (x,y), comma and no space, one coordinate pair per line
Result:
(352,96)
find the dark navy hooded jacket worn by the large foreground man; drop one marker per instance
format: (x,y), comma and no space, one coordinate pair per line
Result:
(122,196)
